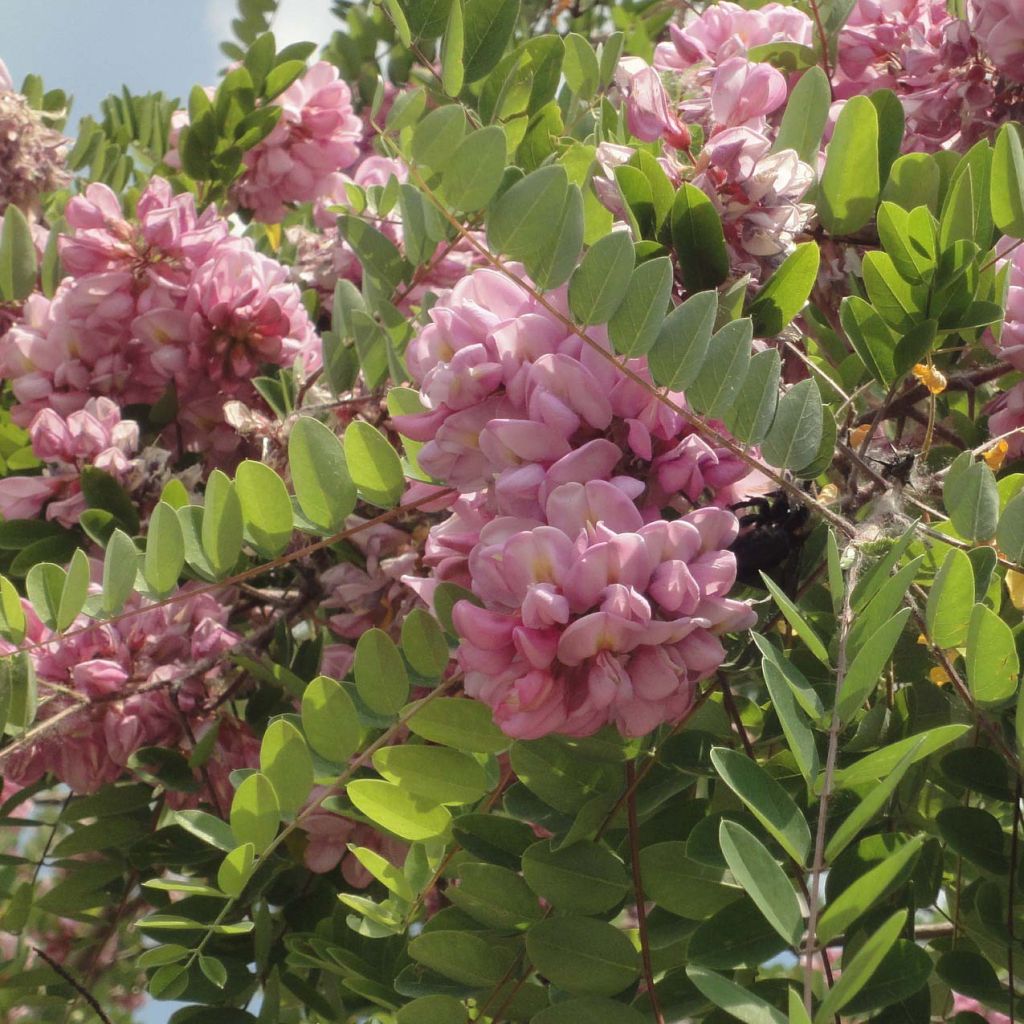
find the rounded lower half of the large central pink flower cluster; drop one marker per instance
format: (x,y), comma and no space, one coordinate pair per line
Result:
(593,618)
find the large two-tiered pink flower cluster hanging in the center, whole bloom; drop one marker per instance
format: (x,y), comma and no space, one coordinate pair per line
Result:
(596,610)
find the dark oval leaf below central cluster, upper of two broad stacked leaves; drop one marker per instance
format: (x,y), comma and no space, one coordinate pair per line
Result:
(583,878)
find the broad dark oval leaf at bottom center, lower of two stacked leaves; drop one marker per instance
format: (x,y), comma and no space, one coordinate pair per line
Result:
(583,956)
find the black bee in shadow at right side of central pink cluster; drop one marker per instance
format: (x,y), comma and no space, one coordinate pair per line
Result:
(770,536)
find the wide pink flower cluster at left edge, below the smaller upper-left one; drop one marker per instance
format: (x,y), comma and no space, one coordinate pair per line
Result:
(166,298)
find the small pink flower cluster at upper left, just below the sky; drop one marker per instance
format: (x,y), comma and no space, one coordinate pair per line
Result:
(318,136)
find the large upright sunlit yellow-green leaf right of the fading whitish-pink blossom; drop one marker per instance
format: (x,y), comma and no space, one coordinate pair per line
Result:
(850,186)
